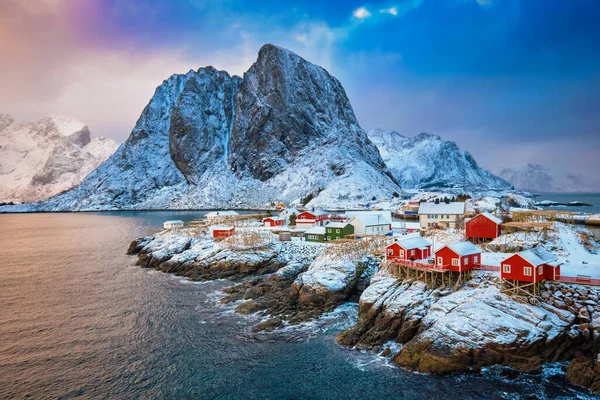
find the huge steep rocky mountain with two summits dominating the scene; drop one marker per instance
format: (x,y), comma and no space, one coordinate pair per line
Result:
(210,140)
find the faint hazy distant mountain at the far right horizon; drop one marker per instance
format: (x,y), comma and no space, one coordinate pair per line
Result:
(541,179)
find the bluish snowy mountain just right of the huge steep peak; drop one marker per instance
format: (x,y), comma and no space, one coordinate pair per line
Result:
(428,162)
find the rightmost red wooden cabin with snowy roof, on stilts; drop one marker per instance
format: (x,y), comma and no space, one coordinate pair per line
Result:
(531,266)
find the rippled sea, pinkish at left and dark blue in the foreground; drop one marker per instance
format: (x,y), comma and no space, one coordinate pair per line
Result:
(79,320)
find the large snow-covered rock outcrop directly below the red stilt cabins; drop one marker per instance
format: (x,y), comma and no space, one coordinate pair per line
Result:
(473,327)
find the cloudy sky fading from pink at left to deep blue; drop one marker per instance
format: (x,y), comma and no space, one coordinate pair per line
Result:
(511,81)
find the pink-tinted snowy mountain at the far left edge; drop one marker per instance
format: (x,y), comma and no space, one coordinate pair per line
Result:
(46,157)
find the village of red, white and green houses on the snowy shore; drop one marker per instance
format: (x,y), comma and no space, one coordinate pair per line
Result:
(438,242)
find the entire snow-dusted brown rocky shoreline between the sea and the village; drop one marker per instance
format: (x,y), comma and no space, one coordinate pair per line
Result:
(417,327)
